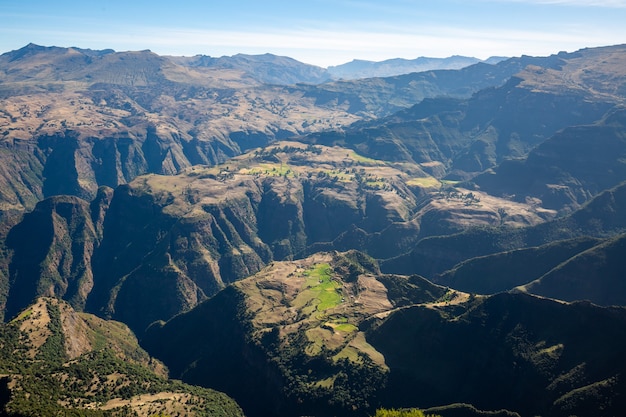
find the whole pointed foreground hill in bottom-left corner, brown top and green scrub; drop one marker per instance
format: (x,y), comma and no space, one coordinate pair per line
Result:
(55,360)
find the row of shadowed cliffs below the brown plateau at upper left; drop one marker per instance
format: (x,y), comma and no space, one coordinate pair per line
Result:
(76,162)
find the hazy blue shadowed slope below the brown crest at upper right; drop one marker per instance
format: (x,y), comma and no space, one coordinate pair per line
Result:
(472,135)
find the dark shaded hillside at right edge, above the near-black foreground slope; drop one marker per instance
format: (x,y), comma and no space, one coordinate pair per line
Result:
(573,269)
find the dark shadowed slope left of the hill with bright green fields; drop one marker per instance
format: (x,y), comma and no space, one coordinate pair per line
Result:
(241,366)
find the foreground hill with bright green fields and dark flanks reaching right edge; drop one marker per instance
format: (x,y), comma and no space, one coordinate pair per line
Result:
(313,337)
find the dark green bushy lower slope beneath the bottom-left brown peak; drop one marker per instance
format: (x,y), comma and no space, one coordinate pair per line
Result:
(96,378)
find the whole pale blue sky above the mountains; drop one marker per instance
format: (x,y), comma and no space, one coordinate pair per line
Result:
(320,32)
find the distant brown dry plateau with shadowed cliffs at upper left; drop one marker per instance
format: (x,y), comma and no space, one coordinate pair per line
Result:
(91,118)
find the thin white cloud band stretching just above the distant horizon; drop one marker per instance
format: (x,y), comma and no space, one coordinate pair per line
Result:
(325,48)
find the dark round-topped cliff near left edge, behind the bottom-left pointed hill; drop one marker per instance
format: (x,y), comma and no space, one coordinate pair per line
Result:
(51,250)
